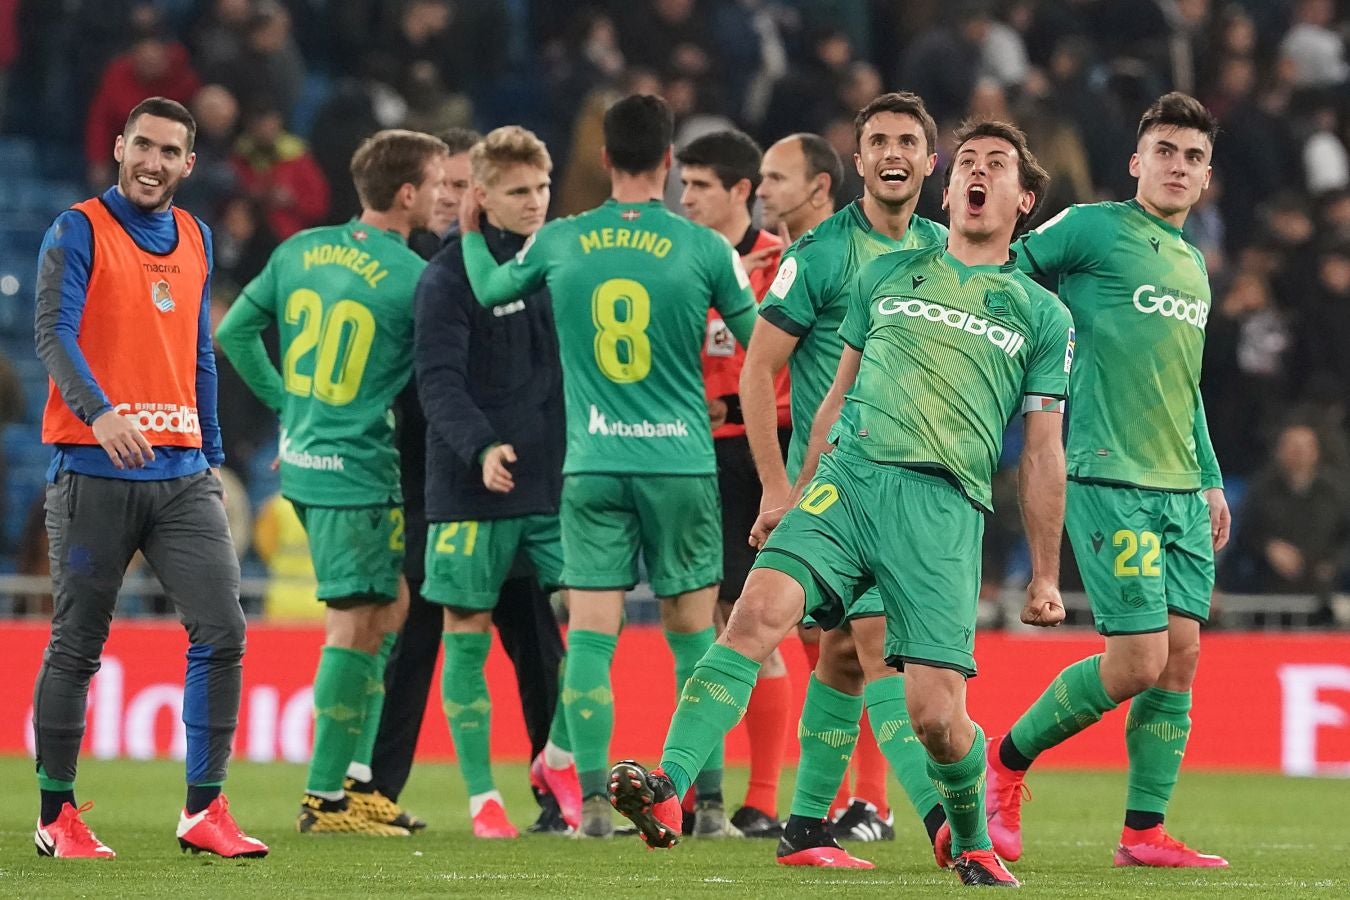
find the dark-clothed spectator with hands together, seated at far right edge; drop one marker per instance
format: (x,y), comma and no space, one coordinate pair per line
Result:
(1294,524)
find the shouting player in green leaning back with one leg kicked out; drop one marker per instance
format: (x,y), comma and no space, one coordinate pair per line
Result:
(943,347)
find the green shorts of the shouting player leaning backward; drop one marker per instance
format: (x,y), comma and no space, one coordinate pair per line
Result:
(911,535)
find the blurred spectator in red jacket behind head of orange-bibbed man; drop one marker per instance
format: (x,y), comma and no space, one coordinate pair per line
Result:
(156,65)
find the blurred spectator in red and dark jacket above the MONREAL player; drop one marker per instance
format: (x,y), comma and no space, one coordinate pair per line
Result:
(279,173)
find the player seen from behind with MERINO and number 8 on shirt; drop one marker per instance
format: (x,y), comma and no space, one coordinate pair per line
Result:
(632,285)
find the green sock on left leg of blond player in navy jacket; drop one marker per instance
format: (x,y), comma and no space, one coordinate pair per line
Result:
(469,708)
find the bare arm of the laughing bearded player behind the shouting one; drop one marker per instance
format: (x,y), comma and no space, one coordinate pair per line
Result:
(765,360)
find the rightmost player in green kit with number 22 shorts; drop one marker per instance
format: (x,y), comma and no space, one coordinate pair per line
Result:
(1145,501)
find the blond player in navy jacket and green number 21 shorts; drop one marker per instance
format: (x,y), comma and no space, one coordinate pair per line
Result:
(492,388)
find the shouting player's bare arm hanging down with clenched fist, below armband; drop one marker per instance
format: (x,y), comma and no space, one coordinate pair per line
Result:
(1042,499)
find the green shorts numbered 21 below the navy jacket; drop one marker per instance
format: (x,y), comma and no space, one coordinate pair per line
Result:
(468,562)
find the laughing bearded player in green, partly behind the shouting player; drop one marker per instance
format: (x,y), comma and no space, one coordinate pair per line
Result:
(799,329)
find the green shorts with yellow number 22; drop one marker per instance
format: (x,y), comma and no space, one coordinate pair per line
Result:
(1143,554)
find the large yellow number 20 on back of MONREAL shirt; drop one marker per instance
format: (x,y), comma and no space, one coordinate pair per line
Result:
(344,341)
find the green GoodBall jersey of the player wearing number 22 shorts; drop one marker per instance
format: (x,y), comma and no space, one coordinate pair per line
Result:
(1140,295)
